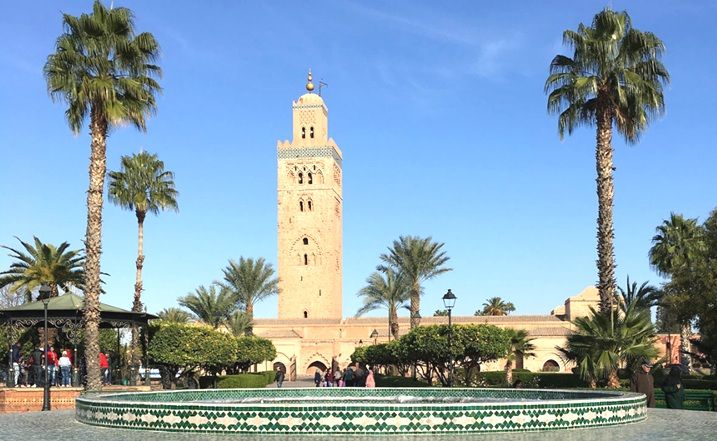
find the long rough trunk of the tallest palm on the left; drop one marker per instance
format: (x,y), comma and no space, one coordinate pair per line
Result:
(93,248)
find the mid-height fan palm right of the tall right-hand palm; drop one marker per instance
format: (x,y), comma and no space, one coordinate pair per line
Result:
(676,251)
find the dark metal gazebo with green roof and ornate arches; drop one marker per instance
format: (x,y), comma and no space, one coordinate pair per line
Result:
(65,313)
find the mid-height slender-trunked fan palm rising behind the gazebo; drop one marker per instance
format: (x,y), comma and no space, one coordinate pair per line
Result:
(143,186)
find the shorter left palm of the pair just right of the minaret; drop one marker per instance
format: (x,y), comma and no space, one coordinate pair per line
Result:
(385,289)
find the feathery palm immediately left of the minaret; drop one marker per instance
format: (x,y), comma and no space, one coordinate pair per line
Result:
(249,282)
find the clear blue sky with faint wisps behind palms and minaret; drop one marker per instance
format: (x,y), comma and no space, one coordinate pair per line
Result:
(439,111)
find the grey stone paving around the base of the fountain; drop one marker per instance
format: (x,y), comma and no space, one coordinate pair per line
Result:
(662,424)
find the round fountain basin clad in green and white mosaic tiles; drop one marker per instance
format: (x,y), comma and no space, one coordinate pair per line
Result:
(361,411)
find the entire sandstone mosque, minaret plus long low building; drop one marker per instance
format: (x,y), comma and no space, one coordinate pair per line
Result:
(310,331)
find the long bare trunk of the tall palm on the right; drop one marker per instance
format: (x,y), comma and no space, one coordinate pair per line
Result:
(605,193)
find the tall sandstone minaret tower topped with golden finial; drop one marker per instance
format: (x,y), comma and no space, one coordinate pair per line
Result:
(310,215)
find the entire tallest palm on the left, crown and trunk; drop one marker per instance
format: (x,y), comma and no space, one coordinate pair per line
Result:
(104,72)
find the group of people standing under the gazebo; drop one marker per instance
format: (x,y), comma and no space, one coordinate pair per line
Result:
(29,369)
